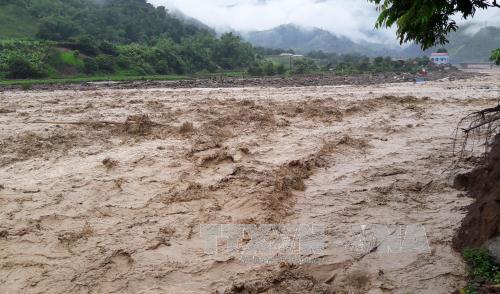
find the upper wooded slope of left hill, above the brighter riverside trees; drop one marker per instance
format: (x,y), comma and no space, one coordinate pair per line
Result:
(118,21)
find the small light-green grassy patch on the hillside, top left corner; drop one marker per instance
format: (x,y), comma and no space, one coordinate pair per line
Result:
(16,23)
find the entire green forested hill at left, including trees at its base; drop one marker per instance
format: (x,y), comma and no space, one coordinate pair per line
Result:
(68,38)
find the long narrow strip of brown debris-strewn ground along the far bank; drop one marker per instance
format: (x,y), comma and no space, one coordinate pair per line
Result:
(223,82)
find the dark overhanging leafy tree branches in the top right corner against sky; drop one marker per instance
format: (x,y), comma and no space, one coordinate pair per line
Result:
(426,22)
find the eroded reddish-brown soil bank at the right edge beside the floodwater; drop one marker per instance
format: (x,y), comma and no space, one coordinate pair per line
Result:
(483,221)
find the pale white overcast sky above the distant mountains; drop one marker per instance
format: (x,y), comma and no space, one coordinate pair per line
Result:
(351,18)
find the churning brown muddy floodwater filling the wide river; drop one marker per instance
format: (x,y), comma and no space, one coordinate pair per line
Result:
(105,191)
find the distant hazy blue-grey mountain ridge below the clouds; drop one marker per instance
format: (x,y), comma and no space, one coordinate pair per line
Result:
(463,46)
